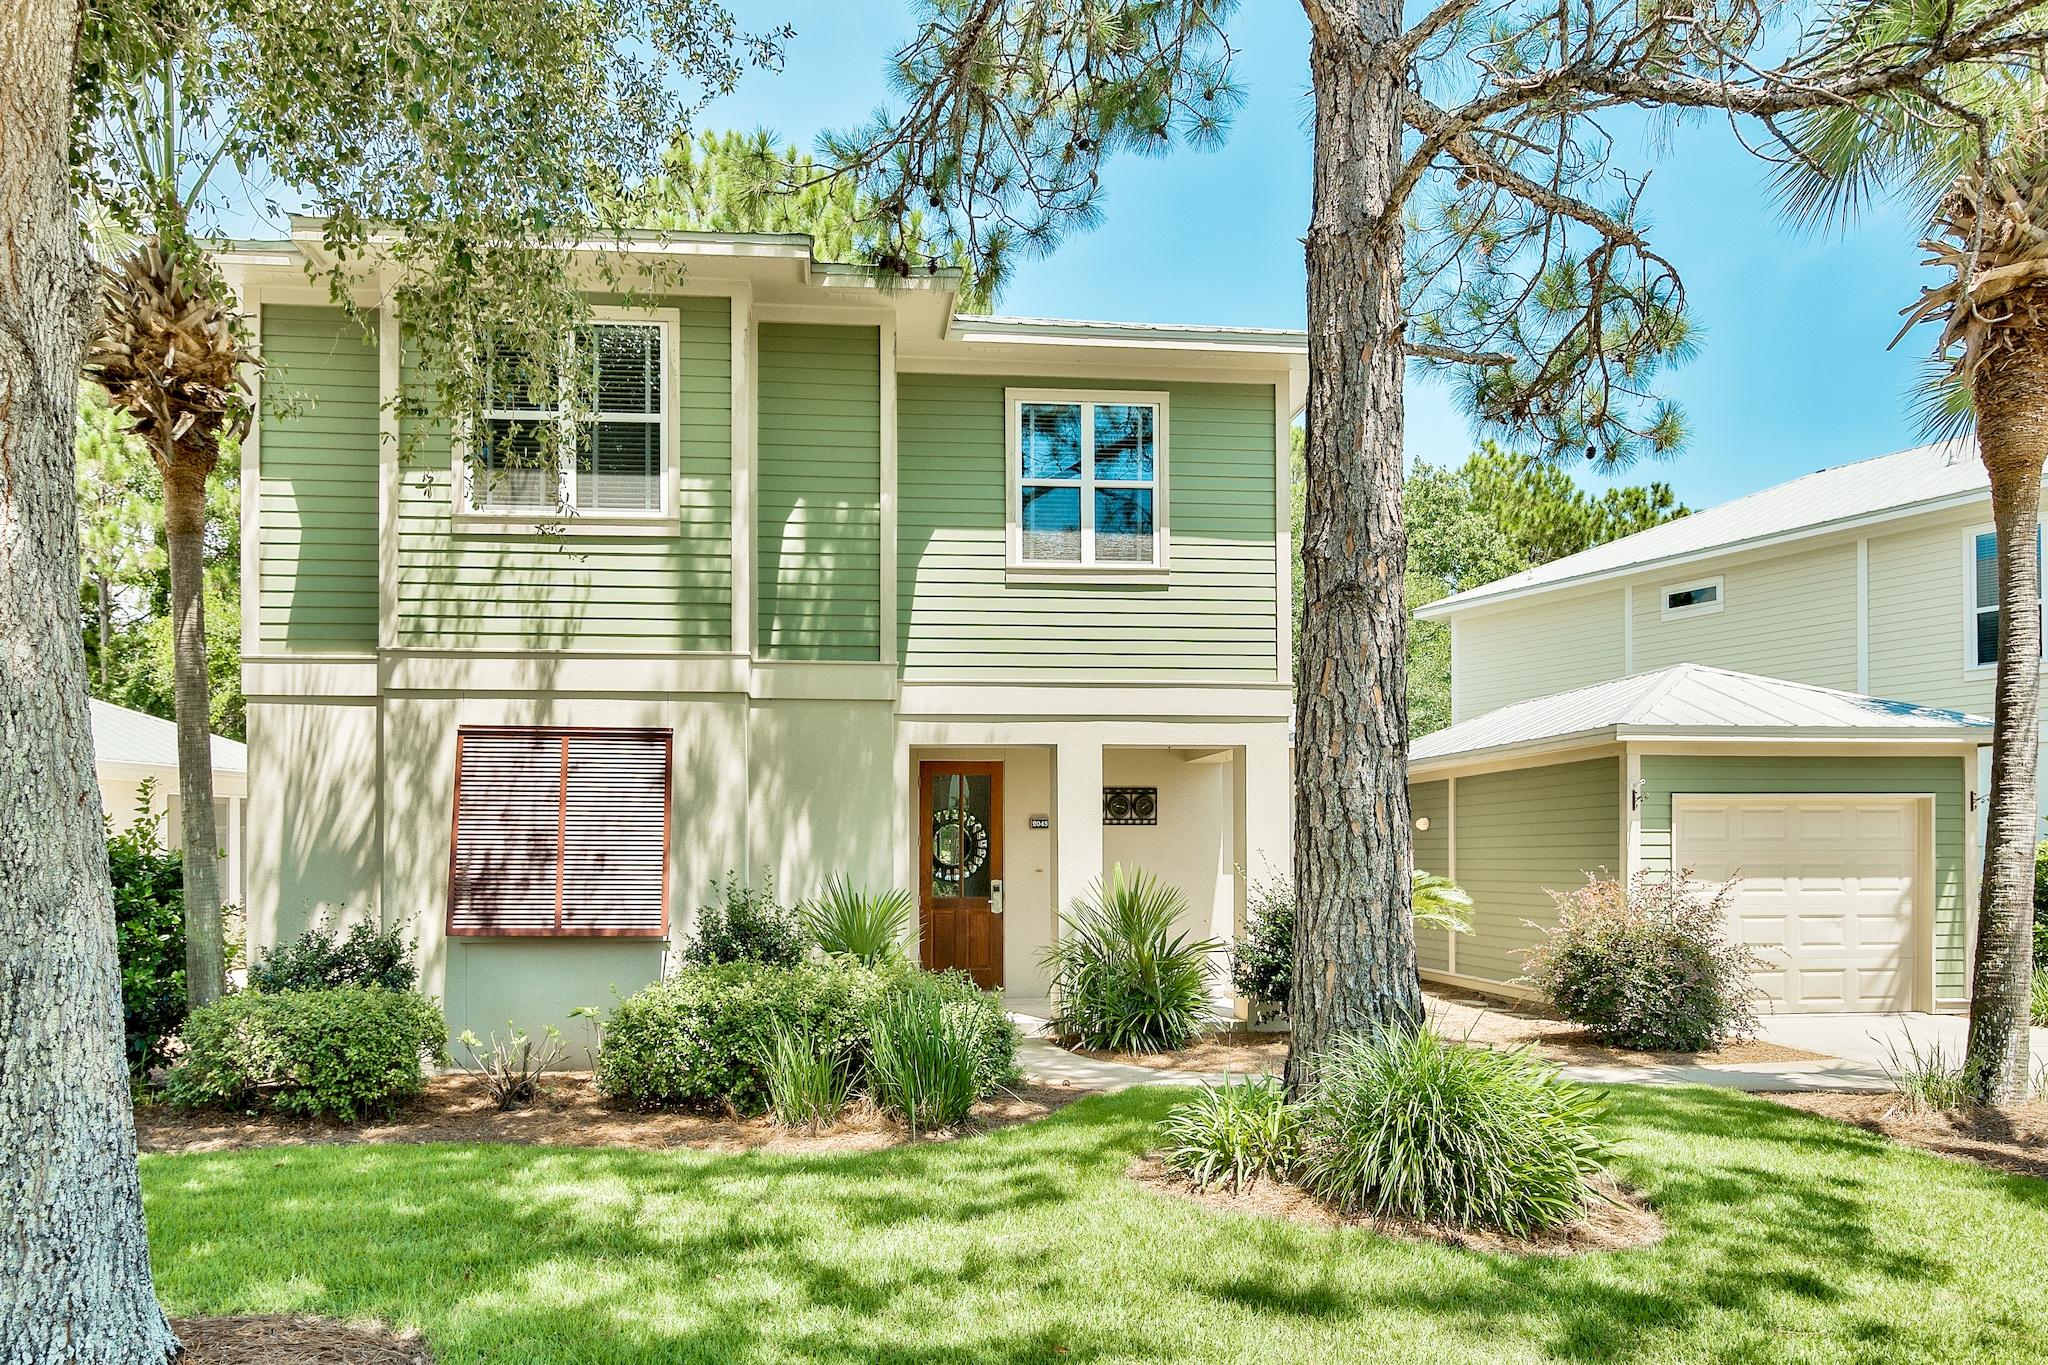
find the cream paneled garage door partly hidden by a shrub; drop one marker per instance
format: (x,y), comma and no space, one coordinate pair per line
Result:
(1828,893)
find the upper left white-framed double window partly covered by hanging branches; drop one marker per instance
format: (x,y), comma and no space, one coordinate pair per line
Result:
(620,437)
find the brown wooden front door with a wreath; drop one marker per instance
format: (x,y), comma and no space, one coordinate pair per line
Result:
(962,869)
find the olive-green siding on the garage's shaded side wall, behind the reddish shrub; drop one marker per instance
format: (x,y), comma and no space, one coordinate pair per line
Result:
(1521,836)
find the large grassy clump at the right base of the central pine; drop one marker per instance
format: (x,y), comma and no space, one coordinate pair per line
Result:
(1412,1127)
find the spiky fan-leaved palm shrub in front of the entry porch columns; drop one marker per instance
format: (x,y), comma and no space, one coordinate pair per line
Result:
(1123,977)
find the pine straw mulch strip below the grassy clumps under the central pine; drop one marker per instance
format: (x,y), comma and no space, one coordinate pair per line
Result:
(1619,1219)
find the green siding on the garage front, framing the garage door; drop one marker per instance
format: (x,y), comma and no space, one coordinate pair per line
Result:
(1752,777)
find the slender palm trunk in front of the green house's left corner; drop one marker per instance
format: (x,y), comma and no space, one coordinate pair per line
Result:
(185,533)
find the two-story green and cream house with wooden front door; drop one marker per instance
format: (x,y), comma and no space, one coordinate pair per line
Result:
(853,584)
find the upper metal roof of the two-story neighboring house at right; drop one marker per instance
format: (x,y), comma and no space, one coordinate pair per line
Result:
(1889,486)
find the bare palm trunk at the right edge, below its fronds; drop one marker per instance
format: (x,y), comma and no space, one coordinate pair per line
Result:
(2012,431)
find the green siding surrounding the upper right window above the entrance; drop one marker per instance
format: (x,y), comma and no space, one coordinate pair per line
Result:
(957,615)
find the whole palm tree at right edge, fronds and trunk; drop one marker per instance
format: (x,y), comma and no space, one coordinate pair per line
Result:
(1969,148)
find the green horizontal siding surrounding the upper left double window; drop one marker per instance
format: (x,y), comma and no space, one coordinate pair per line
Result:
(585,592)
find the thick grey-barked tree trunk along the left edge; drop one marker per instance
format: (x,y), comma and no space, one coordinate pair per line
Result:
(75,1256)
